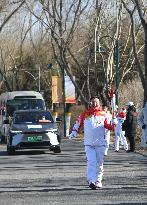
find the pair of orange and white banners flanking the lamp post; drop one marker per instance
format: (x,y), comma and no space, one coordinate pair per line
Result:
(57,90)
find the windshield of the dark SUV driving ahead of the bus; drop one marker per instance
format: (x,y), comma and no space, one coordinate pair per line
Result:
(34,117)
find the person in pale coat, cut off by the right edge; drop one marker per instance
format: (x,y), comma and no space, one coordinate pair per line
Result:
(142,122)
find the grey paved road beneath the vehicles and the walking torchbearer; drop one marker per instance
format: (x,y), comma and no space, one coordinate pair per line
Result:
(44,178)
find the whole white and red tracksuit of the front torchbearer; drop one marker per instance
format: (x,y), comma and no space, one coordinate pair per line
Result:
(94,121)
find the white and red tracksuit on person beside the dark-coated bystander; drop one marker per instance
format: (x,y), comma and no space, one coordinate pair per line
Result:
(119,133)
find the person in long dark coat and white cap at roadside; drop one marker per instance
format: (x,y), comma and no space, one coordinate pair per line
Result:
(130,125)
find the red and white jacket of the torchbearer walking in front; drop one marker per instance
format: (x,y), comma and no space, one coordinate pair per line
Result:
(94,121)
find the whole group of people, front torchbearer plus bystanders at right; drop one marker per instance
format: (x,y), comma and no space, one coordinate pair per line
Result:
(98,122)
